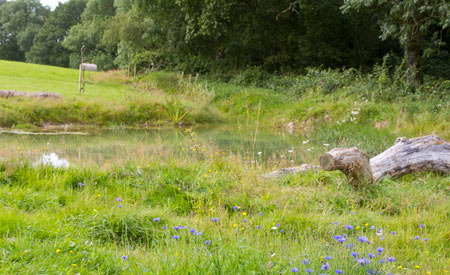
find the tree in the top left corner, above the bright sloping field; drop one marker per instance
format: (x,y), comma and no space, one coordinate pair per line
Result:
(19,22)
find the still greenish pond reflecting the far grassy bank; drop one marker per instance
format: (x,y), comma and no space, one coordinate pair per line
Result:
(105,147)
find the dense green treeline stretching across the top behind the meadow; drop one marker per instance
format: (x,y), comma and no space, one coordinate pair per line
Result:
(217,35)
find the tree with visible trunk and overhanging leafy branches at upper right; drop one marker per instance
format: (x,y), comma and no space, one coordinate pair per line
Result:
(409,22)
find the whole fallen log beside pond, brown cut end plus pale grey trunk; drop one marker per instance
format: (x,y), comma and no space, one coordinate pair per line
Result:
(406,156)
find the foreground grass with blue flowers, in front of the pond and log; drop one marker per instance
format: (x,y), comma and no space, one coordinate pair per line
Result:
(50,223)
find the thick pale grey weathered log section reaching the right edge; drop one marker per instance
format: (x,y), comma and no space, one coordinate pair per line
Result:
(406,156)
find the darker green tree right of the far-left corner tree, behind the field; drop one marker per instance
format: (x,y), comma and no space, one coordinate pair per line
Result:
(47,47)
